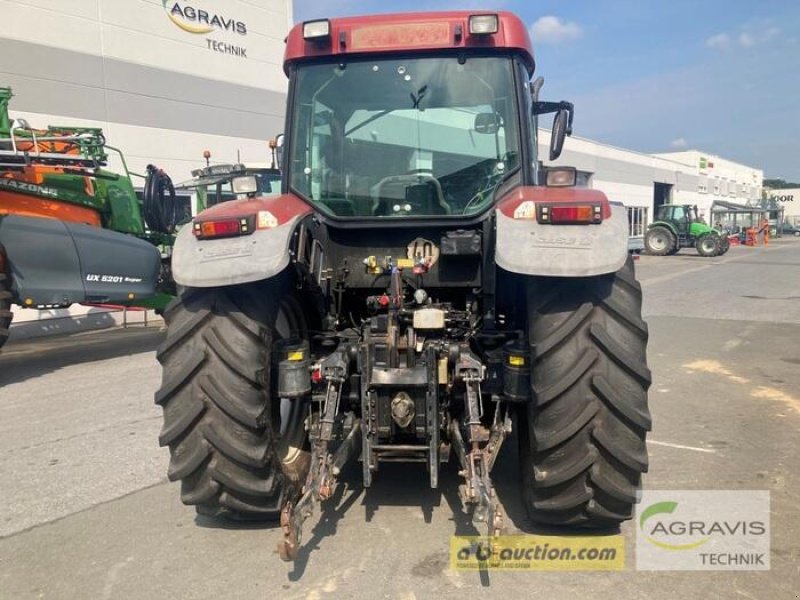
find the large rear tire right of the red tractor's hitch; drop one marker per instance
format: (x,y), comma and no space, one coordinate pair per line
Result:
(583,437)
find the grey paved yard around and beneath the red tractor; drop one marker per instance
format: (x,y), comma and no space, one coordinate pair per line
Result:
(85,511)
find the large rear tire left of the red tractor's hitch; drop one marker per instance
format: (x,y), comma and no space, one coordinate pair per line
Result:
(237,449)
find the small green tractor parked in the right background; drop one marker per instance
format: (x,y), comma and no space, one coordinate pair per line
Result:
(679,226)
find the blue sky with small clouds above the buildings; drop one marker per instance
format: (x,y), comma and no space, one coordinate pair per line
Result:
(658,75)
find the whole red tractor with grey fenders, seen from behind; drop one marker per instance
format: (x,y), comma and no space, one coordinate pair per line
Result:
(421,285)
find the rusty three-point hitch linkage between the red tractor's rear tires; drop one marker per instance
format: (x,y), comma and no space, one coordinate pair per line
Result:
(392,397)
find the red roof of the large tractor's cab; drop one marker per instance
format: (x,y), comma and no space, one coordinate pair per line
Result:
(404,32)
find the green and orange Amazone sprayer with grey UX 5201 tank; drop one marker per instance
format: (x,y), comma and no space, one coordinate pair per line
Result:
(72,231)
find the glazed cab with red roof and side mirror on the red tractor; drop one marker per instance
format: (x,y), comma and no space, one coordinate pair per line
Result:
(430,133)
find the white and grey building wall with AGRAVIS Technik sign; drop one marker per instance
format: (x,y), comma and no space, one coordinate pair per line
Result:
(165,79)
